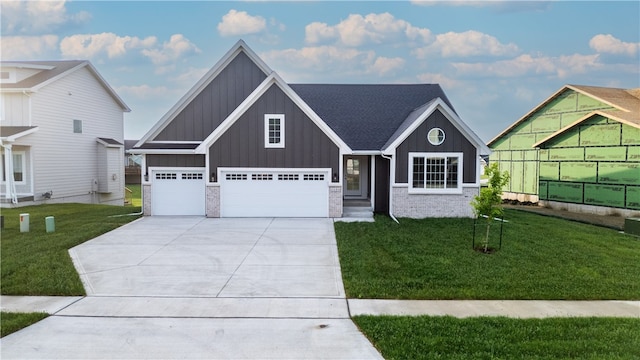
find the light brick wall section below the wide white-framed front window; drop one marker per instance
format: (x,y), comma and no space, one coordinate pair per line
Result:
(419,206)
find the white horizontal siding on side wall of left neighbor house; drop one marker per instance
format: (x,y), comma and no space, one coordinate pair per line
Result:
(64,161)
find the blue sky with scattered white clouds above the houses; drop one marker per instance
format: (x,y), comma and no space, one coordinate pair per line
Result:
(495,60)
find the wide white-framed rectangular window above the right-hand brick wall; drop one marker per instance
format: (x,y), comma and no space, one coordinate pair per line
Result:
(435,173)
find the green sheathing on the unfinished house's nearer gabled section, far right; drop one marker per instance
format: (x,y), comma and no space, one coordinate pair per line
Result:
(595,163)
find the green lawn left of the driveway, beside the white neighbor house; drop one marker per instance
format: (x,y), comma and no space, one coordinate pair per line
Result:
(37,262)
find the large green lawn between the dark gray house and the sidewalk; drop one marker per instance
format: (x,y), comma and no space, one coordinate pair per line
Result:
(541,258)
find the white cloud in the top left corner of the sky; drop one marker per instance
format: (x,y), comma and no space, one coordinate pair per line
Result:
(37,16)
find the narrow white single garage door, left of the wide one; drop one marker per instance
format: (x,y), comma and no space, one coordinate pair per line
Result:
(178,192)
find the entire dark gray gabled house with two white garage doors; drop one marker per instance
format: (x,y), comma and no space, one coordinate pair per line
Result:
(244,143)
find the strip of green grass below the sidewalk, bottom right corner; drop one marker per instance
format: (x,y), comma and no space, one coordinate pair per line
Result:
(502,338)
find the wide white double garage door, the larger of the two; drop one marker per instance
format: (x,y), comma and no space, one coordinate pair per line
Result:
(274,193)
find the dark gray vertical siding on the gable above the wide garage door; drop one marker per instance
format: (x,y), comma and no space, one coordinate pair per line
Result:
(306,145)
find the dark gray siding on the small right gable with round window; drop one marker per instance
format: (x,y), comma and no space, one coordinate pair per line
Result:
(454,141)
